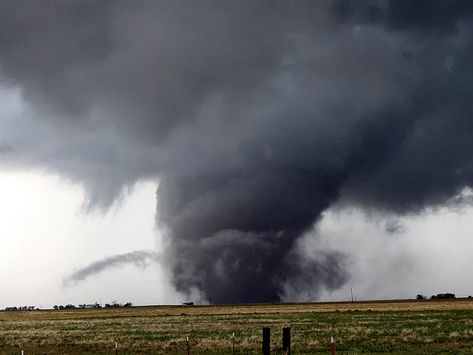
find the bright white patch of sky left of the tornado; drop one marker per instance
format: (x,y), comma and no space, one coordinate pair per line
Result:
(47,235)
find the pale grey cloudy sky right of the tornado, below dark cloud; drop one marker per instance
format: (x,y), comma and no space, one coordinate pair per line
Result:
(431,255)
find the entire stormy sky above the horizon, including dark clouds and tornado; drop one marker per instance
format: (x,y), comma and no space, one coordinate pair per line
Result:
(296,150)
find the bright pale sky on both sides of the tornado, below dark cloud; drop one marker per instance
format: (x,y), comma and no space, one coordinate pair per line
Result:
(47,235)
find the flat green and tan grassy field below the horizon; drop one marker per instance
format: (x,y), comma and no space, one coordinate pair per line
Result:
(402,327)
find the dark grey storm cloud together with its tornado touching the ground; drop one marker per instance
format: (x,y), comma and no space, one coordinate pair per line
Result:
(255,116)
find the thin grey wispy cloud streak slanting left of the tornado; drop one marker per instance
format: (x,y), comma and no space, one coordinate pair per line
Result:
(138,258)
